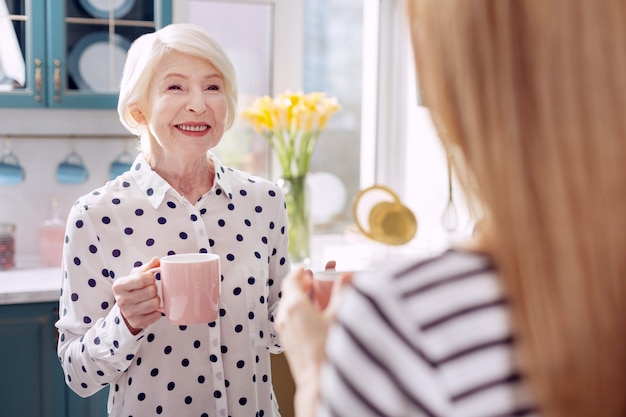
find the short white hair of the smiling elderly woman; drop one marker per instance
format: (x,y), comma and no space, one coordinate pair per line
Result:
(144,56)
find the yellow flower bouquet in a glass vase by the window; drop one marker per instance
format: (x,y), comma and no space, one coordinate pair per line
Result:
(292,124)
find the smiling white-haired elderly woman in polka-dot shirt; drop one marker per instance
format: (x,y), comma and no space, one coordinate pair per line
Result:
(179,93)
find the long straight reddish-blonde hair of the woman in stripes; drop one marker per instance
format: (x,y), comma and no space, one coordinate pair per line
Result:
(531,94)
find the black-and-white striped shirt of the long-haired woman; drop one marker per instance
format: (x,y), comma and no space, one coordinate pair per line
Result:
(429,338)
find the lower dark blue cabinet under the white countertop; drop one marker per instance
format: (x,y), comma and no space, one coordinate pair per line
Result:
(32,383)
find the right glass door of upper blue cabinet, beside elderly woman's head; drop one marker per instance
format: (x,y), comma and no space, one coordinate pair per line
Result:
(87,46)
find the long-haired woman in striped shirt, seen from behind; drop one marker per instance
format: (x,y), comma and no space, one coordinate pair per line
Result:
(529,319)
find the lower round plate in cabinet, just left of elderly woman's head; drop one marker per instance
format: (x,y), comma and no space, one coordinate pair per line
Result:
(89,65)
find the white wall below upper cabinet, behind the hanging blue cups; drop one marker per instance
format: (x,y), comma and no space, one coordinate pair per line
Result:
(28,205)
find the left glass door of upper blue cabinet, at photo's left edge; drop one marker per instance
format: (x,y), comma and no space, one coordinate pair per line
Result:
(22,53)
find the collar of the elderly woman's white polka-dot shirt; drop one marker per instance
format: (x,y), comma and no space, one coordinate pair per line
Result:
(155,187)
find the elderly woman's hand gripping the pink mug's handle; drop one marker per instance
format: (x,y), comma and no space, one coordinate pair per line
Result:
(137,297)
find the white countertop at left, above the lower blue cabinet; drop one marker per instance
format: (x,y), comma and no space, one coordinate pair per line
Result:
(30,285)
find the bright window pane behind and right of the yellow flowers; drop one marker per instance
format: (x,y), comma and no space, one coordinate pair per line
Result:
(333,63)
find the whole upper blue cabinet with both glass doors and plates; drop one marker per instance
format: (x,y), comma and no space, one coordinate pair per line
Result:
(69,53)
